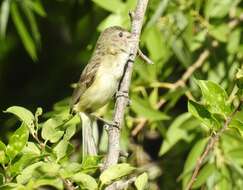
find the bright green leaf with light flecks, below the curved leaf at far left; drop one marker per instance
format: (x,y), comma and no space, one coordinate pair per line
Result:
(17,141)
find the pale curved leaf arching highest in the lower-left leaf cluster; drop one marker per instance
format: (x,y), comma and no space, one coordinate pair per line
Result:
(24,115)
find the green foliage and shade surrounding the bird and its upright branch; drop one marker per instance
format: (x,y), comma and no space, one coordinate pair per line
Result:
(167,126)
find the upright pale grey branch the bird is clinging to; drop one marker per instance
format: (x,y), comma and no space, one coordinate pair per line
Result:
(121,101)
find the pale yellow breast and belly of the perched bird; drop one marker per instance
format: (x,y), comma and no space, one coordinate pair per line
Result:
(105,84)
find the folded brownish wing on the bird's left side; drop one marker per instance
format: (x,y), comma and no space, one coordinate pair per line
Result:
(86,79)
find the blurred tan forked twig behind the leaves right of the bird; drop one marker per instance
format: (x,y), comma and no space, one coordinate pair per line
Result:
(179,83)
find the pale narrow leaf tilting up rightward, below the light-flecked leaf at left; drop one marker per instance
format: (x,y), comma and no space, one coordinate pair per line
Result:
(27,173)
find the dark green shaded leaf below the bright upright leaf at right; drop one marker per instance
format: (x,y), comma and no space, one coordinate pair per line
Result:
(200,112)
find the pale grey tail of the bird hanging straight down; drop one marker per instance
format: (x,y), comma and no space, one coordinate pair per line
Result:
(89,142)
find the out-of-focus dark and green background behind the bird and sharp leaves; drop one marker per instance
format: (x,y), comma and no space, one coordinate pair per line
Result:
(44,46)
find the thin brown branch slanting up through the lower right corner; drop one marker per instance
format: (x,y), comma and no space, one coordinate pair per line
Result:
(213,139)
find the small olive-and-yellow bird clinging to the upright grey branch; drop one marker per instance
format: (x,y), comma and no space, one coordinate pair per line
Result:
(100,79)
